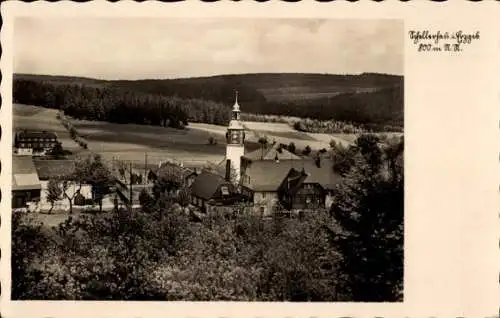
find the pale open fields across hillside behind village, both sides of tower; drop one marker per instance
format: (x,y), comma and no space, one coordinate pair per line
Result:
(133,143)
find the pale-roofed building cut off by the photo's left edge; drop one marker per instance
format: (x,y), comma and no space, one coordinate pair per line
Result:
(26,186)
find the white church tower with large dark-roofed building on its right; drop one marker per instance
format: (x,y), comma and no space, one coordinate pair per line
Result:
(272,176)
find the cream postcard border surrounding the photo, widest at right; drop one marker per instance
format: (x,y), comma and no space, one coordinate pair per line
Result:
(451,128)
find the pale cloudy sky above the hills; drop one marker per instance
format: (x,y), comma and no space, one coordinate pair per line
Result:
(139,48)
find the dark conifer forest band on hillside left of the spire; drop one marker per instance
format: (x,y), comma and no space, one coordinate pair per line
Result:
(110,104)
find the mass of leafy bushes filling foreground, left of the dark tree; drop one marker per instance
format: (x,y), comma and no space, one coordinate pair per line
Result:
(153,254)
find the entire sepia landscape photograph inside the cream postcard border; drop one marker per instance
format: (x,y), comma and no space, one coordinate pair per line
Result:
(208,159)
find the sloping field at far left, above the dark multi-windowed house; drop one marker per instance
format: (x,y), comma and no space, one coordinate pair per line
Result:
(38,118)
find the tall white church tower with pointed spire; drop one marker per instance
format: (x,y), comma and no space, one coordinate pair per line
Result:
(235,139)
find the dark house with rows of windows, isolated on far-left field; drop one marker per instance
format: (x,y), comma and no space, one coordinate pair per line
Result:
(28,143)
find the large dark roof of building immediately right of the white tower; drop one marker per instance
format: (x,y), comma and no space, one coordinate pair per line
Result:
(268,175)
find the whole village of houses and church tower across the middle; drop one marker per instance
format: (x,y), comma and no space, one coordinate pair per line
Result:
(263,181)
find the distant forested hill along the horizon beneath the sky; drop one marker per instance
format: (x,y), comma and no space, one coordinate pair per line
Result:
(320,96)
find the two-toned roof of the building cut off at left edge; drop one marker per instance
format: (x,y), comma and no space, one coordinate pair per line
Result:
(24,174)
